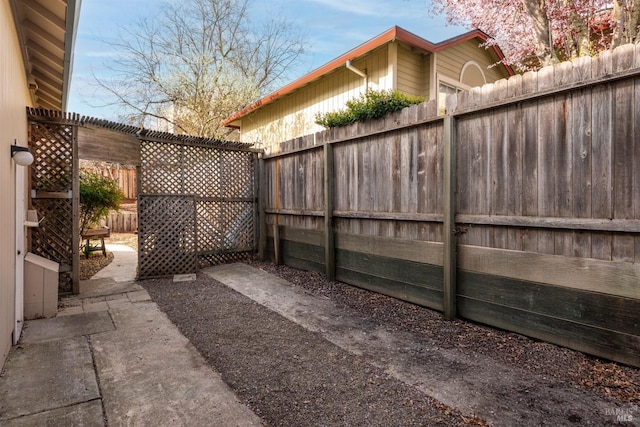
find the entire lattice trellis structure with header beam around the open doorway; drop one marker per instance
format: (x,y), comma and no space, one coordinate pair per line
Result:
(194,181)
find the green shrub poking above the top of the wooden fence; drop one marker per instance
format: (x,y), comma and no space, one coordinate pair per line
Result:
(372,105)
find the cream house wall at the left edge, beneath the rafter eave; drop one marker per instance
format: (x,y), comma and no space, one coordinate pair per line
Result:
(14,97)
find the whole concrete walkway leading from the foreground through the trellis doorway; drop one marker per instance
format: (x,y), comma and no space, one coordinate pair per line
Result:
(112,358)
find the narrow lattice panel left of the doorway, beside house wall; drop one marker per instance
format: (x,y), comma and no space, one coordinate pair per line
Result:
(51,179)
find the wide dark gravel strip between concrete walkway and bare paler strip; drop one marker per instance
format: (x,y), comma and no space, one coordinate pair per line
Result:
(288,375)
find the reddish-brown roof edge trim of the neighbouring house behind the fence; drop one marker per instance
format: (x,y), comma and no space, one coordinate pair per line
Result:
(394,33)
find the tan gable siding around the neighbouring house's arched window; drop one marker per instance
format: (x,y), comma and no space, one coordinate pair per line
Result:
(450,61)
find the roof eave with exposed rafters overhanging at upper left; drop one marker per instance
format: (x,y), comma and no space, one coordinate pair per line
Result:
(47,31)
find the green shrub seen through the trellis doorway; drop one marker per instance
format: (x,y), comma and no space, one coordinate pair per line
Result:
(98,195)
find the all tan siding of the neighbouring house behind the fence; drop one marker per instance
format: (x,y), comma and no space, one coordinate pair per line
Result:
(294,115)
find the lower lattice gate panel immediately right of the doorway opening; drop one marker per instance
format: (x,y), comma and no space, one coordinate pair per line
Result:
(167,241)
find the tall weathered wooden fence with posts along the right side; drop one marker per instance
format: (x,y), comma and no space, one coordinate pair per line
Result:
(519,209)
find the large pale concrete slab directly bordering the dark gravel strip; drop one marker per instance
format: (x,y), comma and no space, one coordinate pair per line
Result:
(150,374)
